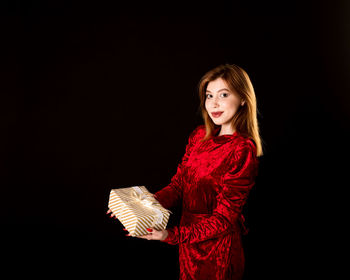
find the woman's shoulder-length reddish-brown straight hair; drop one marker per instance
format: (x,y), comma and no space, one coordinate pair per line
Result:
(245,120)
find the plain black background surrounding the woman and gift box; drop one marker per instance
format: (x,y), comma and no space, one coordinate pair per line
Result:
(98,96)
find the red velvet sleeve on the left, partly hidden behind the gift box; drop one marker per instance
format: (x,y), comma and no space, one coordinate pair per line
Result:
(170,195)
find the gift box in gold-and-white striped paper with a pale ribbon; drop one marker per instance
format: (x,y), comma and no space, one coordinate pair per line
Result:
(137,209)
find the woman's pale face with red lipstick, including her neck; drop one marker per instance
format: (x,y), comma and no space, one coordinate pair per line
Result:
(221,104)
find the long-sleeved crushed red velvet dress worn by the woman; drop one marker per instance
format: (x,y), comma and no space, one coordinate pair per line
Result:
(212,182)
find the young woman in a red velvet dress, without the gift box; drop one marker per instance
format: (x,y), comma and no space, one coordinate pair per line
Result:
(213,180)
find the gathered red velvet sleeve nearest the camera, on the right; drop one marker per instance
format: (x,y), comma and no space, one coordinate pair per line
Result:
(235,186)
